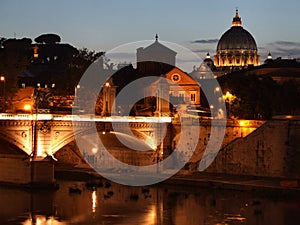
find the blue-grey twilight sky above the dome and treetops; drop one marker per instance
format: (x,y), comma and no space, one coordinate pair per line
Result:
(196,24)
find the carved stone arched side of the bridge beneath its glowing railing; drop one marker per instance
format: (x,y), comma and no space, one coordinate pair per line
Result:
(53,134)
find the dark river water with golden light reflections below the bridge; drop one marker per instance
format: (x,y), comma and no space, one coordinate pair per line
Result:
(75,203)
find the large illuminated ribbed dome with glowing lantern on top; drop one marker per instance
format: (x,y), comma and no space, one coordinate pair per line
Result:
(236,47)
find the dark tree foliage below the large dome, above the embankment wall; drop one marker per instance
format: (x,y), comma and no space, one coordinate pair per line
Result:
(260,97)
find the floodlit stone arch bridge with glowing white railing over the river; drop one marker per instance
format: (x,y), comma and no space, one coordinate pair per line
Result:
(44,134)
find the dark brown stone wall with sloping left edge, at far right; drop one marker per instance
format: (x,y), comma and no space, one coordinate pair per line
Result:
(272,150)
